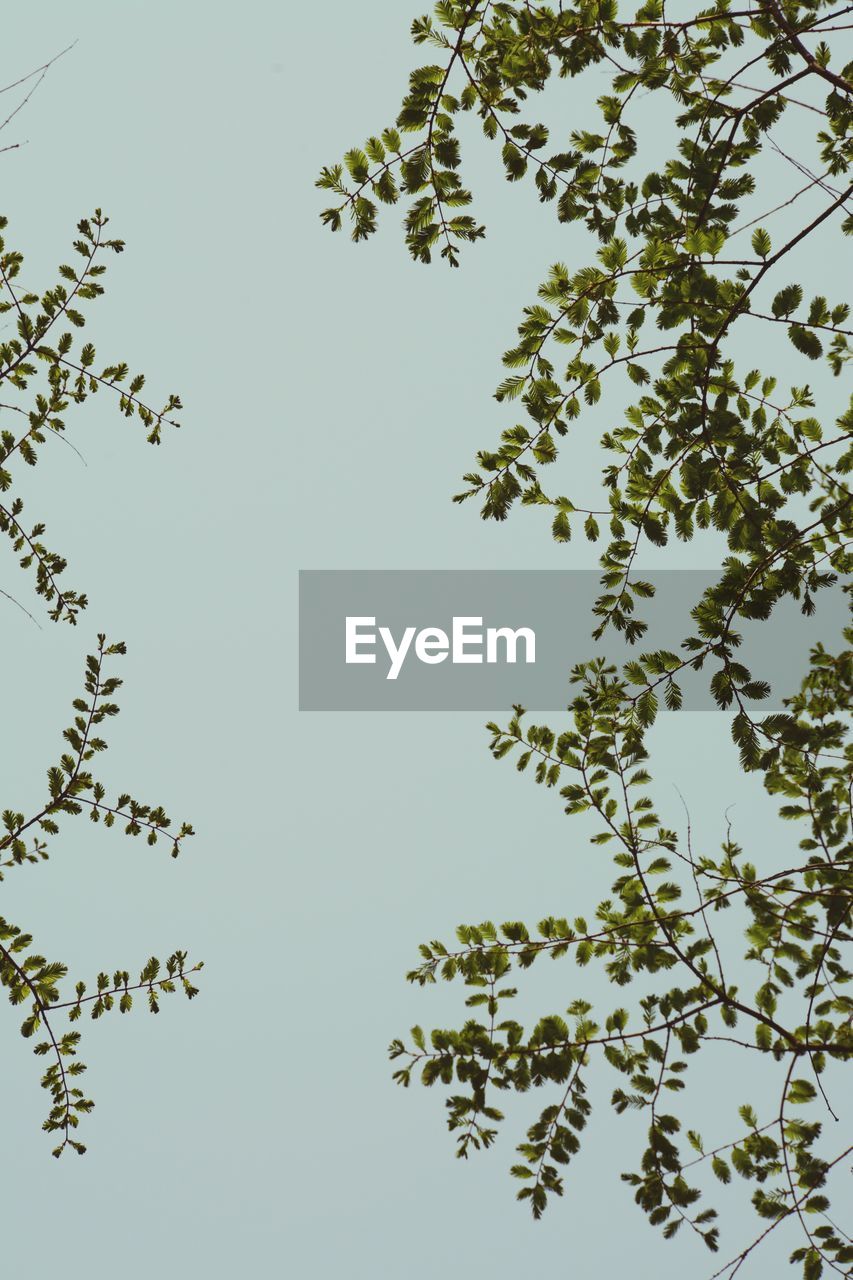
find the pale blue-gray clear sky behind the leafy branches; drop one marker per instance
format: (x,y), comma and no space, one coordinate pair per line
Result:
(334,396)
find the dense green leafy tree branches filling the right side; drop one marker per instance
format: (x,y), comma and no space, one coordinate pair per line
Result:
(705,447)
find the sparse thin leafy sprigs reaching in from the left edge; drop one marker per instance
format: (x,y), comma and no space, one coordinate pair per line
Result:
(44,371)
